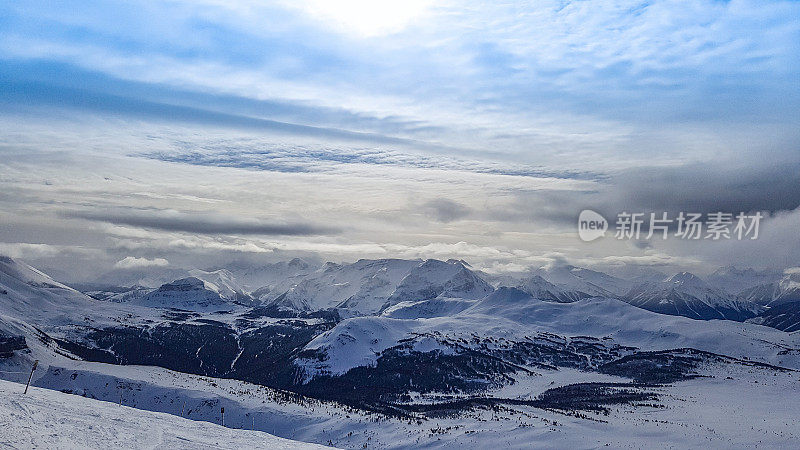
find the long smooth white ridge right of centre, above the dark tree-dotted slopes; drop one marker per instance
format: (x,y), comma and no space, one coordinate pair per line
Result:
(510,313)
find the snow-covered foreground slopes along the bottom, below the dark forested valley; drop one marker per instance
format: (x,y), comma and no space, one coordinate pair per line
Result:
(730,406)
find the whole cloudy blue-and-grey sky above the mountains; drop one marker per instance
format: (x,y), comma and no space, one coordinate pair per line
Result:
(194,134)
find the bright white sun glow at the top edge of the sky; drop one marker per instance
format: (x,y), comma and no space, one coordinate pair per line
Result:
(366,17)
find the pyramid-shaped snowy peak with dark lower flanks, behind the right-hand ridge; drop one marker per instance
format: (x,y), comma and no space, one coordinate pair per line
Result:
(685,294)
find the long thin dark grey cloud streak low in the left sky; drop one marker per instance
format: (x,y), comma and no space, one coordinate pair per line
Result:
(199,223)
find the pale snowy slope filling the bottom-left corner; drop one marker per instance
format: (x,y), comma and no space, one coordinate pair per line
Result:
(46,418)
